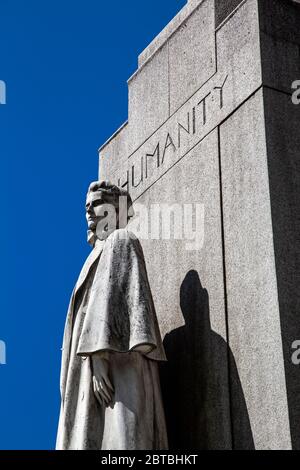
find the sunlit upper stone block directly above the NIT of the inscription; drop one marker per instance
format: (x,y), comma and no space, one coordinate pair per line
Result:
(192,55)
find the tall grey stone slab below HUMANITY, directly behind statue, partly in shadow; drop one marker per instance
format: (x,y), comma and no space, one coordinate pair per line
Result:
(188,293)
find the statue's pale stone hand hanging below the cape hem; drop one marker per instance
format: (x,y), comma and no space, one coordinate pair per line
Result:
(102,385)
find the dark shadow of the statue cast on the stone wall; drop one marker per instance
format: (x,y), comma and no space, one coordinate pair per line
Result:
(202,410)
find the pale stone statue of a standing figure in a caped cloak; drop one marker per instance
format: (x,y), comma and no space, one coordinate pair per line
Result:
(110,389)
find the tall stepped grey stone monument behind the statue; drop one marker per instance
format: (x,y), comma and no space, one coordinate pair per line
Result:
(211,121)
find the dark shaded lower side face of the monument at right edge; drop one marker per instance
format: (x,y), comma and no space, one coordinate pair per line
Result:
(283,144)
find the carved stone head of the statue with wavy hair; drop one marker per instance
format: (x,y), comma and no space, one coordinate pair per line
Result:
(107,207)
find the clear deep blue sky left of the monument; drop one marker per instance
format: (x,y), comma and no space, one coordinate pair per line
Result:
(65,64)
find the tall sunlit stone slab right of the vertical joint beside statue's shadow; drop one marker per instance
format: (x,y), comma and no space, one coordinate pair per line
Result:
(253,310)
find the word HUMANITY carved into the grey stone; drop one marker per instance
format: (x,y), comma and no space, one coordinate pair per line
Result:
(174,139)
